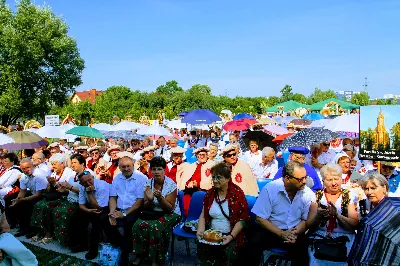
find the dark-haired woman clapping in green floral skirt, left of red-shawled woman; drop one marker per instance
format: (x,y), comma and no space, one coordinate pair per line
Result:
(151,232)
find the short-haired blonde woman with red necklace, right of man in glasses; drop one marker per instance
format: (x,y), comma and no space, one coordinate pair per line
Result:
(335,213)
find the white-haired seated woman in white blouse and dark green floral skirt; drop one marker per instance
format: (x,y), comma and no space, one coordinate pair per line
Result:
(52,215)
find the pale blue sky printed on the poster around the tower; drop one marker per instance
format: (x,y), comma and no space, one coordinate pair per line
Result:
(369,115)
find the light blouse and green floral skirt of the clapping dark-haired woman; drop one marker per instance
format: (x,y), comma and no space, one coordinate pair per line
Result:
(152,236)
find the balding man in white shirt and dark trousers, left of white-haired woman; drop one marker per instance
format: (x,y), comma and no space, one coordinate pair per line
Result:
(32,182)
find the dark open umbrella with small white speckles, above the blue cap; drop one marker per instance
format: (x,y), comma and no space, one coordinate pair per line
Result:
(307,137)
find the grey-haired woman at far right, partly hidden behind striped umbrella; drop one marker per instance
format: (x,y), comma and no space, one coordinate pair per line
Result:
(376,188)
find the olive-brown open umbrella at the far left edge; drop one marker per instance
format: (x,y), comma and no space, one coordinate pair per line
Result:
(24,140)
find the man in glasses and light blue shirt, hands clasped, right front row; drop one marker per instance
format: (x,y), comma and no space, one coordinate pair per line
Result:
(282,210)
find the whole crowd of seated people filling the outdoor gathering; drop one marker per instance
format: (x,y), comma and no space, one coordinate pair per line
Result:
(55,192)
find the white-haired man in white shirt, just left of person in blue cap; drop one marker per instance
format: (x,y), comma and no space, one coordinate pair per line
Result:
(268,167)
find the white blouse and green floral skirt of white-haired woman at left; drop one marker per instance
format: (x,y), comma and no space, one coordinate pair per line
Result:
(55,216)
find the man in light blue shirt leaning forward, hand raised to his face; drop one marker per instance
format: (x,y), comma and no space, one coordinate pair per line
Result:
(94,195)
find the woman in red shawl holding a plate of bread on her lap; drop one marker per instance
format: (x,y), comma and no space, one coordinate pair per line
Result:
(225,210)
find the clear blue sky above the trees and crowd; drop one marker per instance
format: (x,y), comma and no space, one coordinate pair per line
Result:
(247,48)
